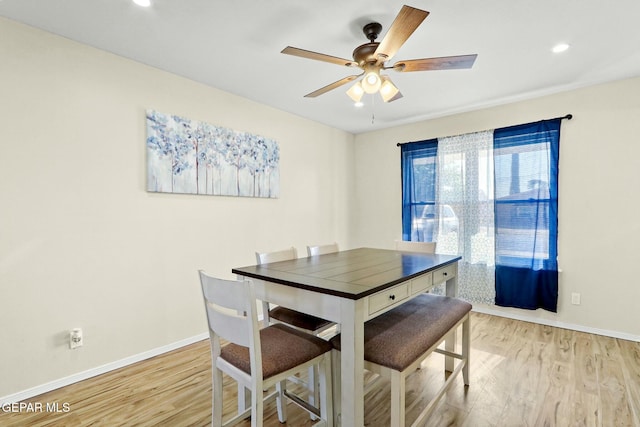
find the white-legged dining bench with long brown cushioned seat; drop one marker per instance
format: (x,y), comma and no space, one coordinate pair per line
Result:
(398,341)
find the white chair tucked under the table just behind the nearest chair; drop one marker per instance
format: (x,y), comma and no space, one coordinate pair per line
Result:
(305,322)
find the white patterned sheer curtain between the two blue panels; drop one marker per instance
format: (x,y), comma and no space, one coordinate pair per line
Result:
(465,212)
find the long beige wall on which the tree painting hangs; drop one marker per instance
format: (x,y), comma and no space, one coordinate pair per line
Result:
(82,244)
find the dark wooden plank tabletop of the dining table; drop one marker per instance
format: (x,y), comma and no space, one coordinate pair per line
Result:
(352,274)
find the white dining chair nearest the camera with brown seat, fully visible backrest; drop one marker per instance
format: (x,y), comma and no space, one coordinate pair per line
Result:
(257,359)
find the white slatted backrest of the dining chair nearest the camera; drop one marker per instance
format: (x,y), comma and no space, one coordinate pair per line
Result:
(232,315)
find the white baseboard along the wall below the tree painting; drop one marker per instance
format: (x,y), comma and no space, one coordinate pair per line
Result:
(71,379)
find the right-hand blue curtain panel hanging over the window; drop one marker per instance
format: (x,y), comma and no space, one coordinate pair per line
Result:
(526,214)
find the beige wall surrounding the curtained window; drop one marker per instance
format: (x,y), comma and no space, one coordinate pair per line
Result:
(599,224)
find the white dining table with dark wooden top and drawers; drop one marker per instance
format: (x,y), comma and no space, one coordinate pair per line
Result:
(350,287)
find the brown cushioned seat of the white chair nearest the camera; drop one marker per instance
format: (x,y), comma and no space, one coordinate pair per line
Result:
(277,341)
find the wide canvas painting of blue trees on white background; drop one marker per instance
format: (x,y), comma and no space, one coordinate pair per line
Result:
(188,156)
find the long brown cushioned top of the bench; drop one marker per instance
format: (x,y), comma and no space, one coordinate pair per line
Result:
(398,337)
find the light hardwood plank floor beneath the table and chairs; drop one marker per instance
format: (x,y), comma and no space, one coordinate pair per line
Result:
(522,374)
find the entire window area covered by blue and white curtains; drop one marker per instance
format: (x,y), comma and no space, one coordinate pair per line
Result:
(491,197)
